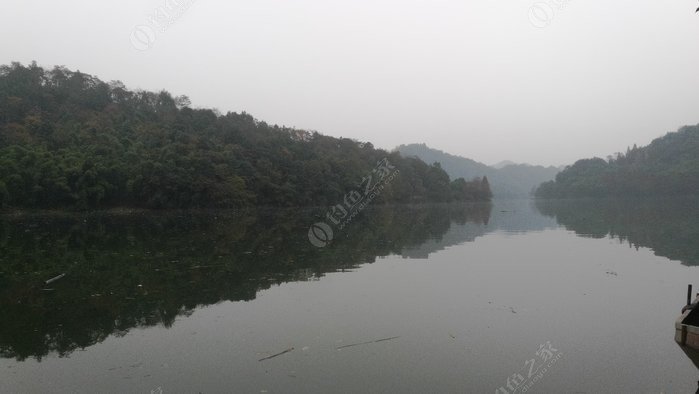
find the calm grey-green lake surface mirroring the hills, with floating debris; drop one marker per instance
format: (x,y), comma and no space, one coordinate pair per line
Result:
(524,296)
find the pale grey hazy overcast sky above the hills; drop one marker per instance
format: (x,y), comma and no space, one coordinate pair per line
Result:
(487,79)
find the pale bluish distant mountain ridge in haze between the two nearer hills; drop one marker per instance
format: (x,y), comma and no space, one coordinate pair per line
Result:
(507,180)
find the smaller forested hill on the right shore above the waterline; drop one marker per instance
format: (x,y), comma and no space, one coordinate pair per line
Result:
(669,166)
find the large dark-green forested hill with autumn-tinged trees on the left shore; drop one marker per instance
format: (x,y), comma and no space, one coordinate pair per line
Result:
(70,140)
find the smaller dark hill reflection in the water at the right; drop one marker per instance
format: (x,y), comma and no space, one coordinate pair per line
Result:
(669,227)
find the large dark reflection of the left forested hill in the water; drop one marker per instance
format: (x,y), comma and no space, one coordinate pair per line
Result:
(126,271)
